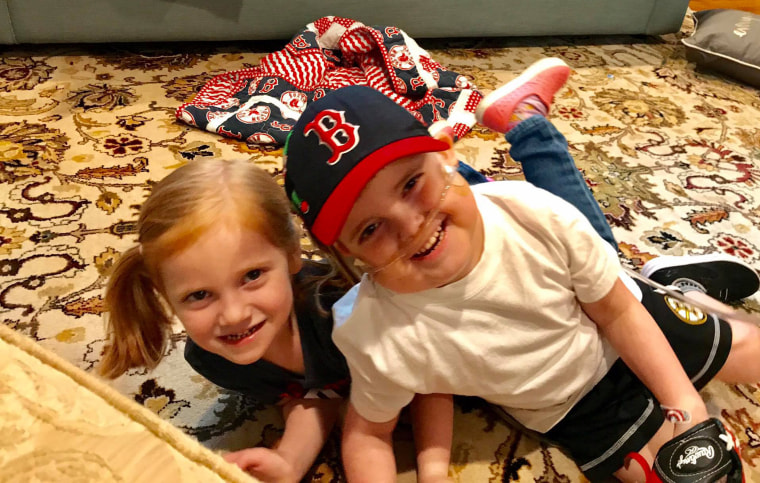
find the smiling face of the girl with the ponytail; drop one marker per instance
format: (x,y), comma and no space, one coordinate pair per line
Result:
(232,291)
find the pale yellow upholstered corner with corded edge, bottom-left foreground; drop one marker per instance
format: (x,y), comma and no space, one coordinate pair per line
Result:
(61,424)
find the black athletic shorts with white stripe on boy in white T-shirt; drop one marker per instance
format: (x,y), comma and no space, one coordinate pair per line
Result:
(620,415)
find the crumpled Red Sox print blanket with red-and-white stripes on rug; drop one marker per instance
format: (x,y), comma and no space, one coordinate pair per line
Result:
(261,104)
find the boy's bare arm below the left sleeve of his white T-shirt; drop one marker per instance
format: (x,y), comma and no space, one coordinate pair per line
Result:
(368,449)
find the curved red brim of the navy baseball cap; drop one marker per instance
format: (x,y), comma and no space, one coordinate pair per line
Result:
(335,210)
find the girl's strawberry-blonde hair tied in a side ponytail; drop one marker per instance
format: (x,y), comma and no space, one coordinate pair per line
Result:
(181,208)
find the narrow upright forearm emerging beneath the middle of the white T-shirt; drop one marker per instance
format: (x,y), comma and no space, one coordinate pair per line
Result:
(433,425)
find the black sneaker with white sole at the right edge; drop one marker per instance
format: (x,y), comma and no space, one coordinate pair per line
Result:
(723,277)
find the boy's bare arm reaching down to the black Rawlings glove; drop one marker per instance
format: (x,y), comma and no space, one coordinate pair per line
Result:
(643,347)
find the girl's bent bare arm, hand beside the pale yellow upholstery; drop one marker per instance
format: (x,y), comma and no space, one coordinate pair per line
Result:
(308,423)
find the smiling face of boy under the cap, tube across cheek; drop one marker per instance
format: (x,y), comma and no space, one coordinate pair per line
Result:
(388,215)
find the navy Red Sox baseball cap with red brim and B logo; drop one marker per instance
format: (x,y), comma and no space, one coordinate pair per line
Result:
(338,144)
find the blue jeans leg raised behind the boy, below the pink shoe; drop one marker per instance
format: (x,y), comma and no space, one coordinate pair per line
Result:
(547,163)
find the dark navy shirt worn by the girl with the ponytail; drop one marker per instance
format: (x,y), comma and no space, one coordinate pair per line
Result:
(326,373)
